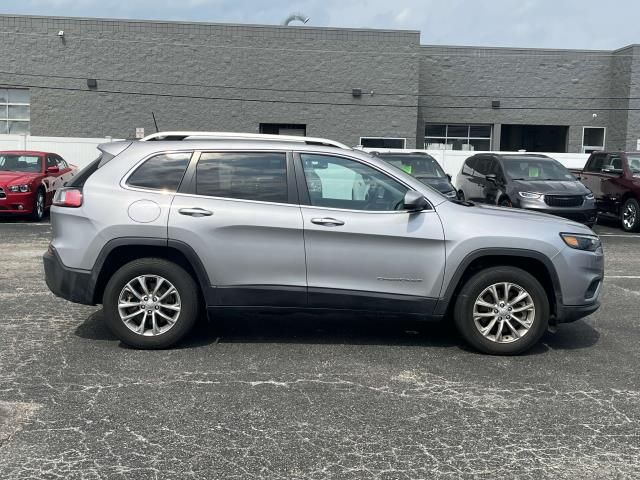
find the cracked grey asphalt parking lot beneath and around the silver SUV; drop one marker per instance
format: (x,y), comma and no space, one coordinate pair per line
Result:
(304,396)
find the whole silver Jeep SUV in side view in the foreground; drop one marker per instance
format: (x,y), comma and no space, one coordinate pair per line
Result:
(160,229)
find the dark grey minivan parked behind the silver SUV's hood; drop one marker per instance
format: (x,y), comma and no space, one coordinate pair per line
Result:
(529,181)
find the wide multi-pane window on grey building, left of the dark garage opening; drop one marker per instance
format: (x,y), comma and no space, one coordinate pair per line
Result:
(457,137)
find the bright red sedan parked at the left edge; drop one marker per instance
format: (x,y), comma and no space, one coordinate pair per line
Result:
(28,181)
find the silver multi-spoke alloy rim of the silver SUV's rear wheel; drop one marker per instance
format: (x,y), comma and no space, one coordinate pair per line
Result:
(149,305)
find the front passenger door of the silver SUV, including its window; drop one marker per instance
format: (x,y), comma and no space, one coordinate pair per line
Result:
(363,251)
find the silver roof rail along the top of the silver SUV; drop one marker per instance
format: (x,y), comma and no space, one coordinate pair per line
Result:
(179,136)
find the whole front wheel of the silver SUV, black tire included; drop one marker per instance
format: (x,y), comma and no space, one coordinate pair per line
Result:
(507,343)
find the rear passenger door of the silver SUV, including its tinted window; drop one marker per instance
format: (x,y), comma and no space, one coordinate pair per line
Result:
(238,211)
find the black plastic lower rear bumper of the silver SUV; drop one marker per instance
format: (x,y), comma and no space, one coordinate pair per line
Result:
(68,283)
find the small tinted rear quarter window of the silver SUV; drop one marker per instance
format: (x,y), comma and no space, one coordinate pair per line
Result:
(162,172)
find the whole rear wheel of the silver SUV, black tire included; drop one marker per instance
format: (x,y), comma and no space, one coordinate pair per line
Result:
(158,332)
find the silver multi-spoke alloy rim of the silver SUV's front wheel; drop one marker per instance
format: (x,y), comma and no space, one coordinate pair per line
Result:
(504,312)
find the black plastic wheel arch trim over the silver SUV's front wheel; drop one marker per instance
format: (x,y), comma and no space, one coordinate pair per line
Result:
(530,261)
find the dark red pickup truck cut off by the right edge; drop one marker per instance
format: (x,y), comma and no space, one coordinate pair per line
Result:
(614,178)
